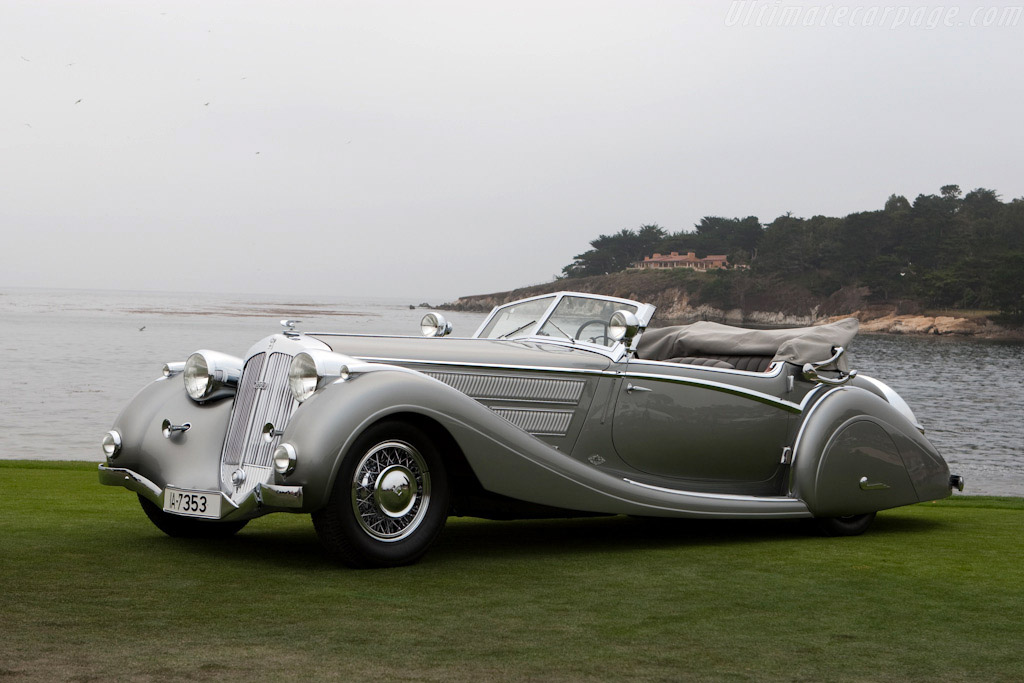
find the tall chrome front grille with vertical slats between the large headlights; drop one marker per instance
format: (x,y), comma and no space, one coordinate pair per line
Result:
(264,398)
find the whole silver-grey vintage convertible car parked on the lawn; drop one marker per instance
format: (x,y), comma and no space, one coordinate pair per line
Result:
(560,405)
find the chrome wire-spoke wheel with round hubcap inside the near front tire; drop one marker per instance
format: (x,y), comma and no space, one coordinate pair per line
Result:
(391,491)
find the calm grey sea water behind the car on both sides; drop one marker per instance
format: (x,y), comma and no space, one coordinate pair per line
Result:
(72,360)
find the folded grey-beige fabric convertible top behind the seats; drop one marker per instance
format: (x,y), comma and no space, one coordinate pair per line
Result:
(797,346)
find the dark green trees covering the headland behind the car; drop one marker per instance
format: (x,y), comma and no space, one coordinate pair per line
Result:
(949,250)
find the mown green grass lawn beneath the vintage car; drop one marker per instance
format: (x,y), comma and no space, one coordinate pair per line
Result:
(92,591)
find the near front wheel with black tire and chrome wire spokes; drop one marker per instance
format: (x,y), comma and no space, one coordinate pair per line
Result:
(371,522)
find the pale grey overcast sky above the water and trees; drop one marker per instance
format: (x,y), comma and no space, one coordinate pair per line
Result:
(433,150)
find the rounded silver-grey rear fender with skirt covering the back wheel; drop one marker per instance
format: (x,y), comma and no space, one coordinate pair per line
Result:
(857,454)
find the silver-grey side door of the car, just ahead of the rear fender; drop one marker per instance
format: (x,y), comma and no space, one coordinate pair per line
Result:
(715,430)
